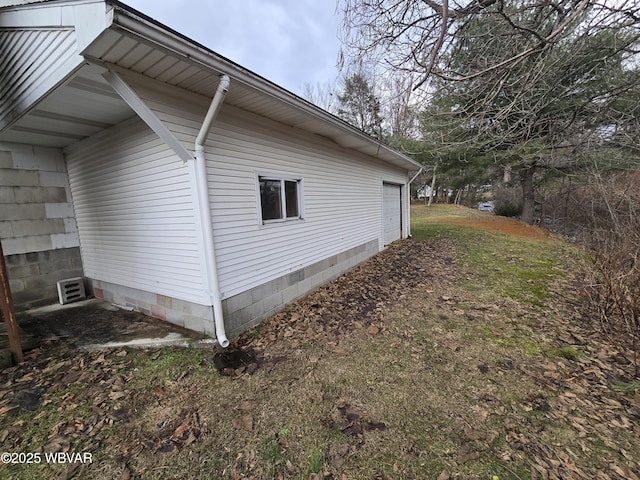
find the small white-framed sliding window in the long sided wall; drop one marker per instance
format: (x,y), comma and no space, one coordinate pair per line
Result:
(280,198)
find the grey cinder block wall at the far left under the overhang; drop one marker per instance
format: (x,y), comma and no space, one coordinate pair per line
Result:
(37,223)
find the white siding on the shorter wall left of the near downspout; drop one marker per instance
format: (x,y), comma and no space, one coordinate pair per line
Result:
(134,210)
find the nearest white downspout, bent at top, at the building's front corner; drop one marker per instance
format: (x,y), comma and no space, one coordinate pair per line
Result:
(211,266)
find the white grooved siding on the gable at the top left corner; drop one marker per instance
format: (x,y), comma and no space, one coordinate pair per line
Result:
(27,65)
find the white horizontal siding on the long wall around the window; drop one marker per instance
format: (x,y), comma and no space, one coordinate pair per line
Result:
(342,189)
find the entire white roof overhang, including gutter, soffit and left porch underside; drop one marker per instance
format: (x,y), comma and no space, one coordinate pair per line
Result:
(136,42)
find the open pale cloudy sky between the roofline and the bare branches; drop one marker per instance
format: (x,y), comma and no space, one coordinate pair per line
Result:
(290,42)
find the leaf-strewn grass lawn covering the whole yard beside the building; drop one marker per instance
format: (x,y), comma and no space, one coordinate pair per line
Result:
(457,354)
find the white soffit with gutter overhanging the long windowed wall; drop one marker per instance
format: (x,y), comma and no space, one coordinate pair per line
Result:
(140,44)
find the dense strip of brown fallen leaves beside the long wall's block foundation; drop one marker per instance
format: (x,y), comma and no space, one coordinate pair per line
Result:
(355,303)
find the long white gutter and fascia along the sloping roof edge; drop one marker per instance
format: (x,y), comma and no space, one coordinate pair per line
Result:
(196,54)
